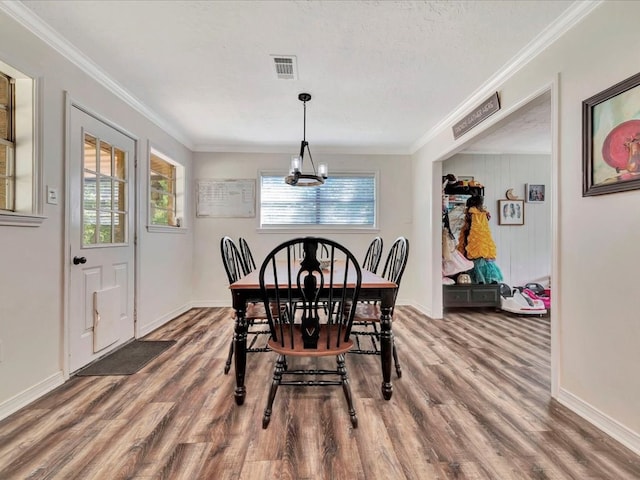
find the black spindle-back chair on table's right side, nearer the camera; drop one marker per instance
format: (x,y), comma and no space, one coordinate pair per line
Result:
(367,316)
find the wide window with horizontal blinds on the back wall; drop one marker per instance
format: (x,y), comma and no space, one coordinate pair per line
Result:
(344,200)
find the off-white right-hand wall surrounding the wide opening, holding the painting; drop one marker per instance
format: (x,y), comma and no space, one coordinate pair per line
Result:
(595,327)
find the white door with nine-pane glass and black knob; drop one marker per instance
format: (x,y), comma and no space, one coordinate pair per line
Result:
(101,232)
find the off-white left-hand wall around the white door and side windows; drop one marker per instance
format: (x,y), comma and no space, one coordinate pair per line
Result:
(32,286)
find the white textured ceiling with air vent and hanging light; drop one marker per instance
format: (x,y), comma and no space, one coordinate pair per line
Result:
(382,74)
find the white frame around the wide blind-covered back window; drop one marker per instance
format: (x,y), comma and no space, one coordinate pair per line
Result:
(335,228)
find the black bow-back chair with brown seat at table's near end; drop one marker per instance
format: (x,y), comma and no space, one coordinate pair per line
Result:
(308,329)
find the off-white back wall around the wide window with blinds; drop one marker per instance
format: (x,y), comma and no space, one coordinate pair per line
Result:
(395,214)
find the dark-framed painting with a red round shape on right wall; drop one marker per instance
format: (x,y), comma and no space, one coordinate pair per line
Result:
(611,139)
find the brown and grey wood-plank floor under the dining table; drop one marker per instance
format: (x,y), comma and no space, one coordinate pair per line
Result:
(473,403)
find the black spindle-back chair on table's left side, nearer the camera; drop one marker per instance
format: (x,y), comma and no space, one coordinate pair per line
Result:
(256,315)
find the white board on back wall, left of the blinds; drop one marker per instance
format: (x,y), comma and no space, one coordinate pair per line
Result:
(226,198)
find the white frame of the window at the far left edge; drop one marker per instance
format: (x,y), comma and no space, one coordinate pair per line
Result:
(28,198)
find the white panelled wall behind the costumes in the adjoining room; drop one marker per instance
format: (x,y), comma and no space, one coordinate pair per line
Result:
(524,252)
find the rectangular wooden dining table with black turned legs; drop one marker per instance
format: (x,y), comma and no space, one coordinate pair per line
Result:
(373,288)
